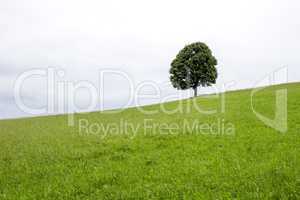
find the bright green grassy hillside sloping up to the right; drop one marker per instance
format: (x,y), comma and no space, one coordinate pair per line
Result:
(43,158)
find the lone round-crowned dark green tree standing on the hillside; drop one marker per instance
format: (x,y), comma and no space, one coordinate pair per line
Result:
(193,66)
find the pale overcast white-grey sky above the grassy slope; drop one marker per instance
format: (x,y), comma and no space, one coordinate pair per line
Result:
(124,48)
